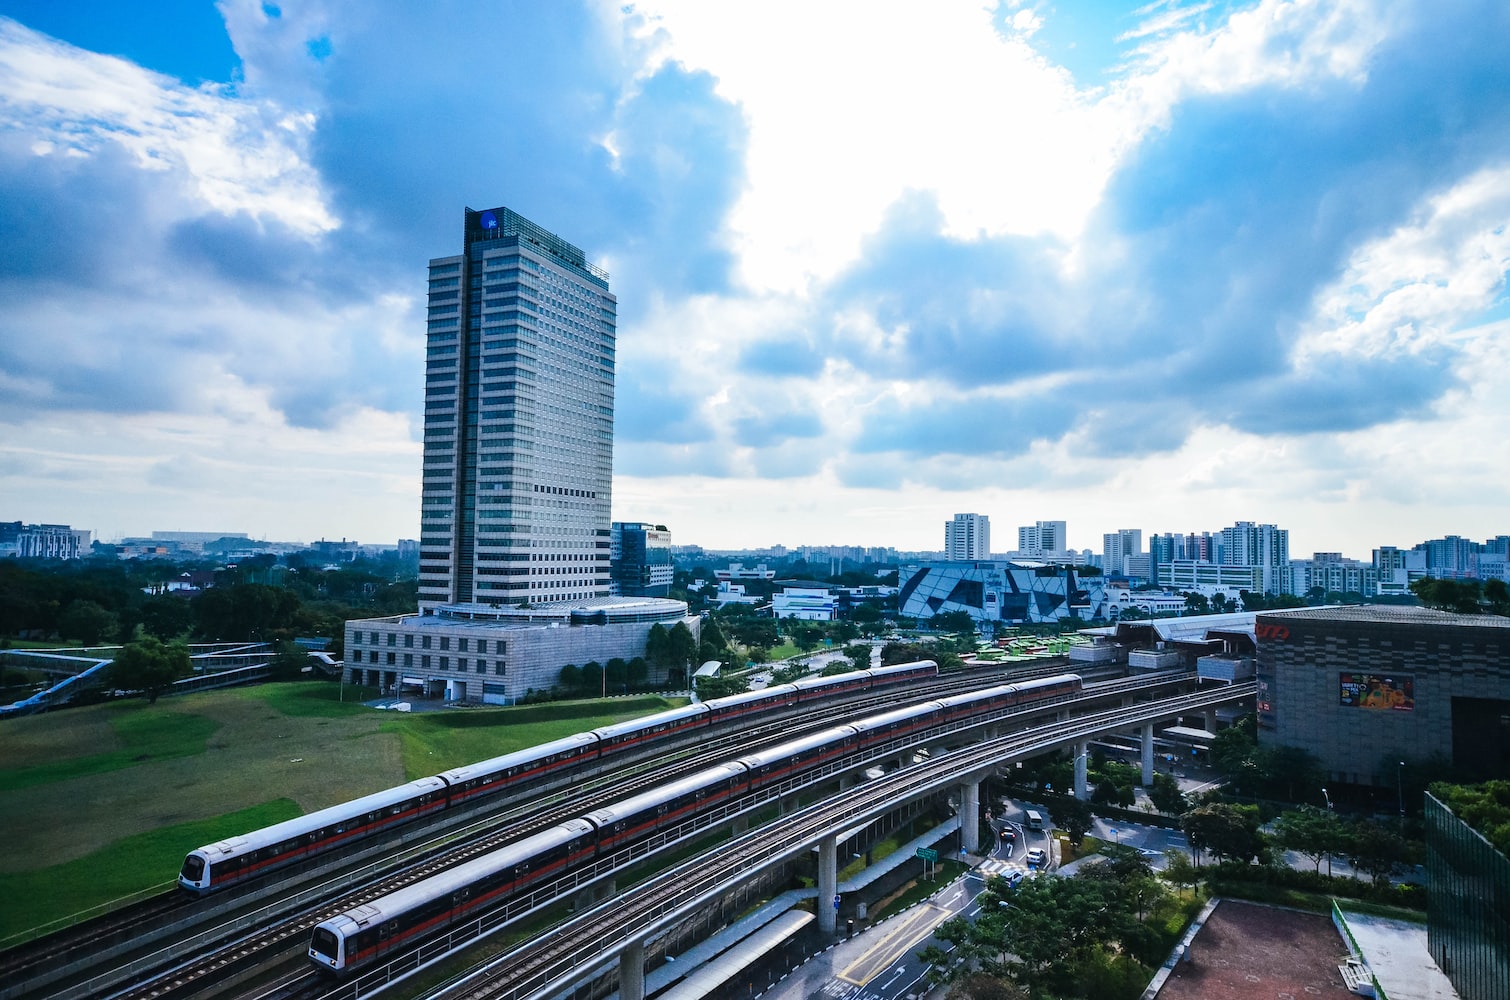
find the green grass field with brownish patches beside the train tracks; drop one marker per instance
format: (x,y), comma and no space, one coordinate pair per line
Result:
(103,801)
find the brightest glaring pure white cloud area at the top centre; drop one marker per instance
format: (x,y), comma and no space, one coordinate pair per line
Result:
(849,108)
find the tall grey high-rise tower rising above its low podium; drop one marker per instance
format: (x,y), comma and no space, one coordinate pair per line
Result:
(519,419)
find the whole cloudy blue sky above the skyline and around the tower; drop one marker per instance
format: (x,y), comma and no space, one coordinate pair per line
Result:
(1160,267)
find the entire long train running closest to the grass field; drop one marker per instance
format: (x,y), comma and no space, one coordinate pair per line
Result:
(238,860)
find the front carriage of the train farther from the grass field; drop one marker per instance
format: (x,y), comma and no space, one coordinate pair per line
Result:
(408,915)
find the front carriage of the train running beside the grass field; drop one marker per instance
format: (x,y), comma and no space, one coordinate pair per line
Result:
(239,859)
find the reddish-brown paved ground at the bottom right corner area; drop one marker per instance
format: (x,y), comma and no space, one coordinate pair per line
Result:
(1250,952)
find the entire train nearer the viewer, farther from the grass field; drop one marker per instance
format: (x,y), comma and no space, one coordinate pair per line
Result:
(402,918)
